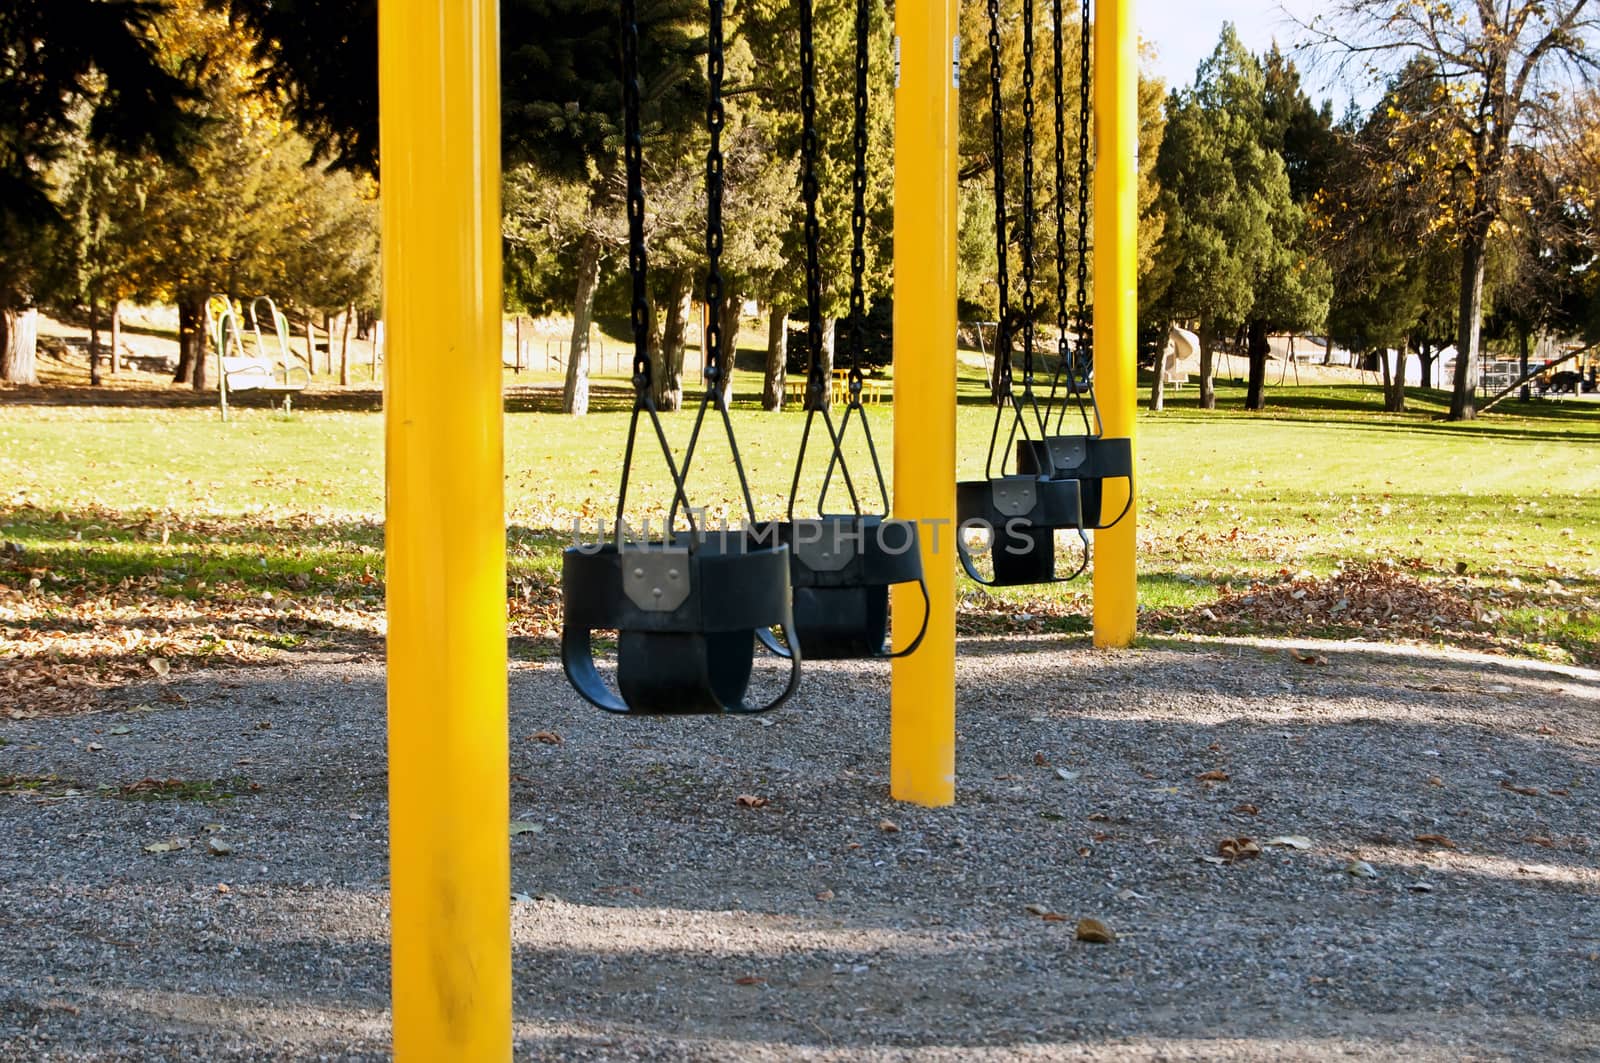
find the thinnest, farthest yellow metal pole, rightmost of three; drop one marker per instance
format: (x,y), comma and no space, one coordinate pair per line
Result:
(1116,300)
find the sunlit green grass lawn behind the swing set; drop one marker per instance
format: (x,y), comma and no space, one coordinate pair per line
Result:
(180,507)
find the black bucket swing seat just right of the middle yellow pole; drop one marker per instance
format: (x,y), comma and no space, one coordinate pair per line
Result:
(1023,515)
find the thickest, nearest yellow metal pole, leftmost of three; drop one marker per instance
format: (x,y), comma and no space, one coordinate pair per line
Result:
(449,788)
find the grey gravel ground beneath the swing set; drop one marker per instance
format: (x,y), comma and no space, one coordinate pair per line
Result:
(658,918)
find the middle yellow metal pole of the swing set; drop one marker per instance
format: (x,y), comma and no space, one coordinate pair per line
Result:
(922,705)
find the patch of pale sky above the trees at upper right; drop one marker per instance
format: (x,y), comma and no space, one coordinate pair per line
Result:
(1185,33)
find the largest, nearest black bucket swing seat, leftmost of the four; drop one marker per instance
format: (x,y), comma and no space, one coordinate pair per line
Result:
(686,622)
